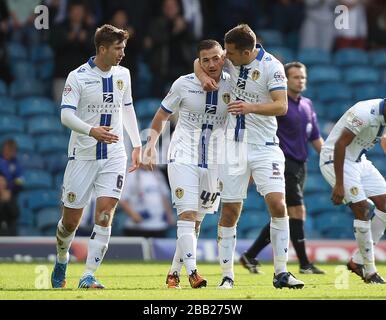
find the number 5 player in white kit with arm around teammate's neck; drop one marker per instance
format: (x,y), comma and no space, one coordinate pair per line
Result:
(259,93)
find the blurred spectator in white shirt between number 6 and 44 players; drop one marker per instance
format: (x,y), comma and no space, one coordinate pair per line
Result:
(145,199)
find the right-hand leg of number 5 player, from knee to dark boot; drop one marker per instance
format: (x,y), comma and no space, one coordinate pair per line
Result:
(279,234)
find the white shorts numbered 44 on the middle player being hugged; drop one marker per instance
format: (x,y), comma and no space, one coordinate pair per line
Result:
(194,188)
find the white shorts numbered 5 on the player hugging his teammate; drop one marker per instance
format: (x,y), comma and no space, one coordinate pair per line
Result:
(265,163)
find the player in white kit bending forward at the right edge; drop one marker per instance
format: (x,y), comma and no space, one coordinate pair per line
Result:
(354,179)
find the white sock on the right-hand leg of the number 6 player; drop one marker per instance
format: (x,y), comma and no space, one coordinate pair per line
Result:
(97,247)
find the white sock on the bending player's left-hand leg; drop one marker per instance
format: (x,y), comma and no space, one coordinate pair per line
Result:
(362,233)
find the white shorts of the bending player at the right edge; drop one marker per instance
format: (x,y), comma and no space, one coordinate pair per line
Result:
(361,179)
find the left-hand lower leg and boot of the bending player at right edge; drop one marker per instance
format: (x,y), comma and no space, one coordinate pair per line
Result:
(363,235)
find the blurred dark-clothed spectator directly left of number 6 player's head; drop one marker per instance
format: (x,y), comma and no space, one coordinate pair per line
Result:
(72,44)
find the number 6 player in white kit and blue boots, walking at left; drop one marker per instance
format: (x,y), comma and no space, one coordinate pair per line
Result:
(96,105)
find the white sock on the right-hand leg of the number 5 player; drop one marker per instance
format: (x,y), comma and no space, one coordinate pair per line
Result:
(279,232)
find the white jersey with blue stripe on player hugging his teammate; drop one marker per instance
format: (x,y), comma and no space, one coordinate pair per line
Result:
(253,83)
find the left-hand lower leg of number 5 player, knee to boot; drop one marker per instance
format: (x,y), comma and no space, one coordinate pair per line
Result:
(226,240)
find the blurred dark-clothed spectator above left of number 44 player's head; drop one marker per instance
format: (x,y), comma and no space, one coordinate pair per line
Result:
(170,45)
